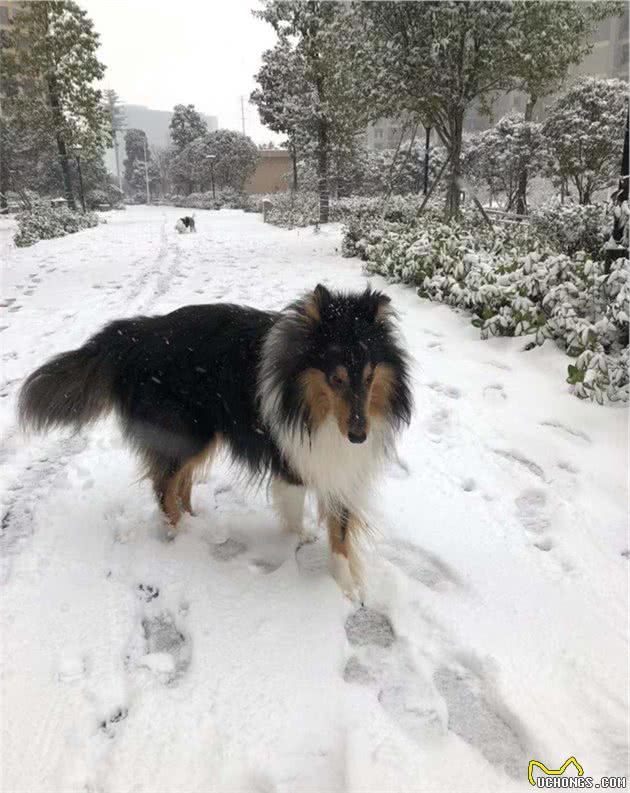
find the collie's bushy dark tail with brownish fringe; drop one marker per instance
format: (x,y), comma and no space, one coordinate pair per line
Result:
(70,390)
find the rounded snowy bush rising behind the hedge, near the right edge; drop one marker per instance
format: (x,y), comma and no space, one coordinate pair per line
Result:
(570,228)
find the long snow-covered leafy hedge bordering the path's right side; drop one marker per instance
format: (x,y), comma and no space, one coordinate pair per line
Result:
(514,284)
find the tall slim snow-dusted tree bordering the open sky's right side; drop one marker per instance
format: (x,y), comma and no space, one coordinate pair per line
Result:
(328,115)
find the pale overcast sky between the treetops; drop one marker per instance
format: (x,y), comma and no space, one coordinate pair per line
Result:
(205,53)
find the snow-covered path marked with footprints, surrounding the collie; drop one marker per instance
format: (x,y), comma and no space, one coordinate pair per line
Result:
(494,626)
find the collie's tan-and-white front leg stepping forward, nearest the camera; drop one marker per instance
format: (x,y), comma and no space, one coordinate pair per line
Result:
(343,528)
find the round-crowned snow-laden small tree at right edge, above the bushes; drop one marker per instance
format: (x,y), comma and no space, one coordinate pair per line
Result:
(584,132)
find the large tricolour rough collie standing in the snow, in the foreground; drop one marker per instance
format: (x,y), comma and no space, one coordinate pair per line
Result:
(309,398)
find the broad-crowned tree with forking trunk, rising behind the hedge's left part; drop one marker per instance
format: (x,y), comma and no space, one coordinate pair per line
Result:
(432,61)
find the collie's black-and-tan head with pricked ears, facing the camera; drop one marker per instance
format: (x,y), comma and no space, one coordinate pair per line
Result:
(336,354)
